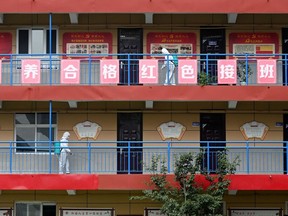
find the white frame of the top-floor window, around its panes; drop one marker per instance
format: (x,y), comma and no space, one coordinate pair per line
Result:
(45,39)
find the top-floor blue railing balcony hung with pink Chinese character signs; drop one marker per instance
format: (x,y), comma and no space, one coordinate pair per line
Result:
(143,69)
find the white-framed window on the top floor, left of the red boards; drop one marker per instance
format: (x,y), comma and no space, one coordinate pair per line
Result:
(36,41)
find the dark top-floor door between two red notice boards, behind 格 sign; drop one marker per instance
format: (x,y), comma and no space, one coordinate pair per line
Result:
(130,41)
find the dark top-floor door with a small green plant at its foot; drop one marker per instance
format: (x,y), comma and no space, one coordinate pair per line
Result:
(212,42)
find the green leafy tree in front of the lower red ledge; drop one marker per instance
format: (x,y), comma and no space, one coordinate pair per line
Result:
(186,195)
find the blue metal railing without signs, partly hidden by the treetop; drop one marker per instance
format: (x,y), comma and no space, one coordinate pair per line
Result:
(256,157)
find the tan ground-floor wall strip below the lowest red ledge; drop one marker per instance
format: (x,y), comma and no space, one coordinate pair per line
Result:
(120,200)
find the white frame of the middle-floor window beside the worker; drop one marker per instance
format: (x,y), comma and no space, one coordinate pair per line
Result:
(34,126)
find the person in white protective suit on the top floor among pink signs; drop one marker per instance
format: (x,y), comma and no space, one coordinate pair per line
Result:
(170,67)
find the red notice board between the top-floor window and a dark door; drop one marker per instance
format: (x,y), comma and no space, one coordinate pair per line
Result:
(86,43)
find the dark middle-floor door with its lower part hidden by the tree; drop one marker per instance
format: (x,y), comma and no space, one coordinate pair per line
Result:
(212,133)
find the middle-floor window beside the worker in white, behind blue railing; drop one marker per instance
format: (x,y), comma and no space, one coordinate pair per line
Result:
(32,131)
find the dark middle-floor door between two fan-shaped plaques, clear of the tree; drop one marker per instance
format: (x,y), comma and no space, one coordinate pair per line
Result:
(129,135)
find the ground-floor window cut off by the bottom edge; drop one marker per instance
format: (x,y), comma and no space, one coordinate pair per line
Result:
(35,209)
